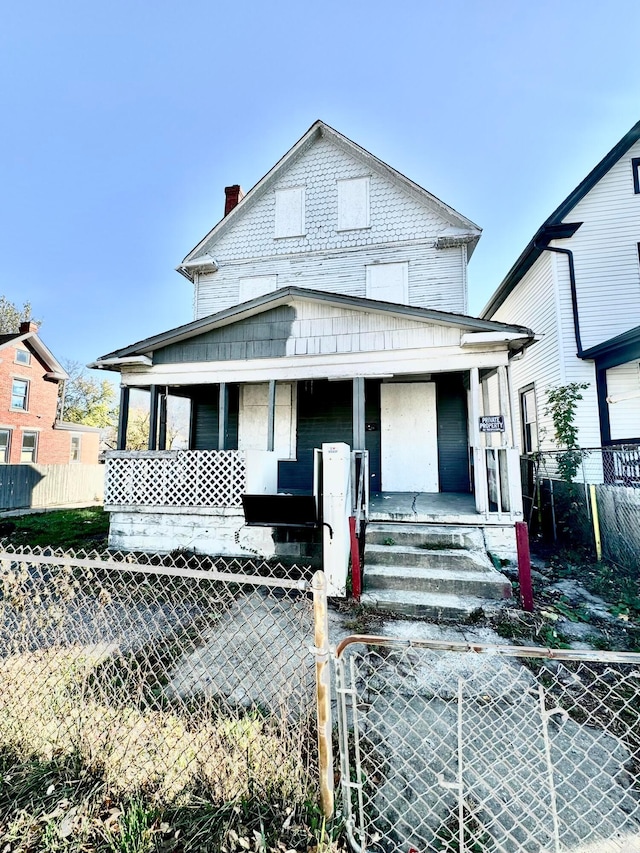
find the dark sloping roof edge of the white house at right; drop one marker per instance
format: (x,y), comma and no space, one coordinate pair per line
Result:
(553,227)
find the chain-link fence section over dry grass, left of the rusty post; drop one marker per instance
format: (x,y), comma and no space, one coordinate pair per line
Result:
(173,675)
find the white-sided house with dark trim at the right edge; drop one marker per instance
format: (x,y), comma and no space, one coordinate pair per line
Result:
(577,284)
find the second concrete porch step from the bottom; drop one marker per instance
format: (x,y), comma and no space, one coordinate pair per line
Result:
(480,584)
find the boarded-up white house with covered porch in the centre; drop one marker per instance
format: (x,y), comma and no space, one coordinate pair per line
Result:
(329,307)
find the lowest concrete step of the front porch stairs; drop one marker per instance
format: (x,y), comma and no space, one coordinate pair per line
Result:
(435,606)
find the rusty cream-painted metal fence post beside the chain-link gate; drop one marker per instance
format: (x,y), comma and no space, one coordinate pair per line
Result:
(323,692)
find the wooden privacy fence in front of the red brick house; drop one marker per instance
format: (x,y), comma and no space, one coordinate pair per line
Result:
(34,486)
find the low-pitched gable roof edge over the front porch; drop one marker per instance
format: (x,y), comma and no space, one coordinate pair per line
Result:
(287,295)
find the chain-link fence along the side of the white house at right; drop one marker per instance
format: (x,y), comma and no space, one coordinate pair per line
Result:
(608,478)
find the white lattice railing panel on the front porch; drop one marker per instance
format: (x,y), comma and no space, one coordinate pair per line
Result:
(181,478)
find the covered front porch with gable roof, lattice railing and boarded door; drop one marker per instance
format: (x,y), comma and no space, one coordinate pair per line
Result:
(267,383)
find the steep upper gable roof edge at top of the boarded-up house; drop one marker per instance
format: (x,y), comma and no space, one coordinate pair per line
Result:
(318,130)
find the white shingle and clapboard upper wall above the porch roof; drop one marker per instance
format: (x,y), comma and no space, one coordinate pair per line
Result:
(329,259)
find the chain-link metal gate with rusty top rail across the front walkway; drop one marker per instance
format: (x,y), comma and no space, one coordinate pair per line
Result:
(451,747)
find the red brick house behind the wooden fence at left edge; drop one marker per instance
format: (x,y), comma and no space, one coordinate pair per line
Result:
(30,431)
